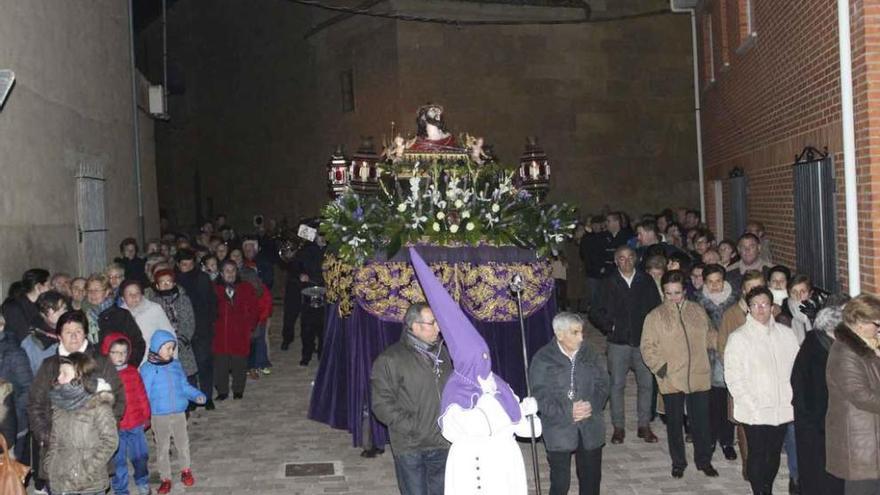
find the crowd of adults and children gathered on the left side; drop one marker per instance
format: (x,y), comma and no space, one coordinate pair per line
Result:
(89,364)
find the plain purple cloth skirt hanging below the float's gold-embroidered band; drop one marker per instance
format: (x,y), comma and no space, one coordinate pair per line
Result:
(341,394)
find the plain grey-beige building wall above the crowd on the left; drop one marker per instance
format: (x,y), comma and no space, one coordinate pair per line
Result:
(71,103)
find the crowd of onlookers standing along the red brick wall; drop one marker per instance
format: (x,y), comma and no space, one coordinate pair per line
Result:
(729,348)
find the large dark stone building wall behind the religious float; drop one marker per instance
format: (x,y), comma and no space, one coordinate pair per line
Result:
(612,103)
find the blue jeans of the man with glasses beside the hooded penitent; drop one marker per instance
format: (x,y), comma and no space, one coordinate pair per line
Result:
(421,472)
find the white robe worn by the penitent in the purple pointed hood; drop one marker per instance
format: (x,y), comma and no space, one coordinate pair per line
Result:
(484,457)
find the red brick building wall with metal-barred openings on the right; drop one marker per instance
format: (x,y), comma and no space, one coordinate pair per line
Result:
(780,93)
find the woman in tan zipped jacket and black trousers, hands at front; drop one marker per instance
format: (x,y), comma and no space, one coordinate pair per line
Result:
(676,338)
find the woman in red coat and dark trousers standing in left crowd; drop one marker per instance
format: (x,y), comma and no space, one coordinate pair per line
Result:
(238,315)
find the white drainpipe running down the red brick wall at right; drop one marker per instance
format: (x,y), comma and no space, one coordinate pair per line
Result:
(849,150)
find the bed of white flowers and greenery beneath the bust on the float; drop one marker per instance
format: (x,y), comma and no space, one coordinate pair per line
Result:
(461,204)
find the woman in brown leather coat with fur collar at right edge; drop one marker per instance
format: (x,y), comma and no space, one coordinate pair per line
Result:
(852,424)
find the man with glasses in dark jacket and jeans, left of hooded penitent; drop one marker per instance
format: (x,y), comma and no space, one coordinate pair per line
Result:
(407,380)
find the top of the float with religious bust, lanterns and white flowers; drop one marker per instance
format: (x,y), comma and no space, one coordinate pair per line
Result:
(431,190)
